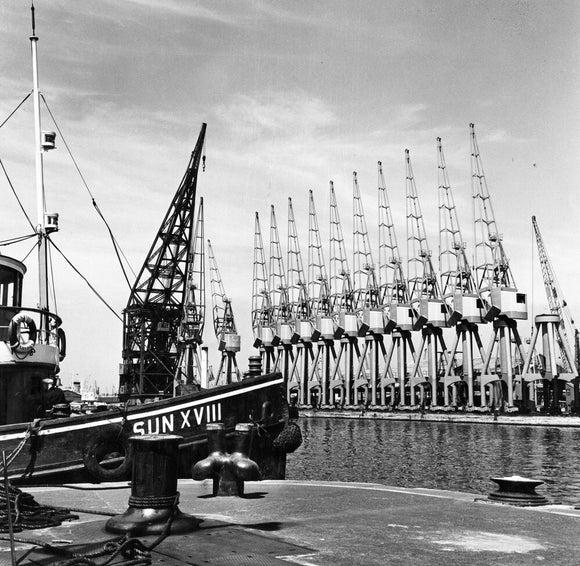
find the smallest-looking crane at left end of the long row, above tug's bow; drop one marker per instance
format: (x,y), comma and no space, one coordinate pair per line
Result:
(263,321)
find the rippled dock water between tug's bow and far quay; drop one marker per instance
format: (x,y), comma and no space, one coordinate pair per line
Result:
(455,456)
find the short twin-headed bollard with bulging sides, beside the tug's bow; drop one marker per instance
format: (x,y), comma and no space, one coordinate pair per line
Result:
(228,471)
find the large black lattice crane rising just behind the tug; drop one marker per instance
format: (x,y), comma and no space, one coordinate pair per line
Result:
(153,315)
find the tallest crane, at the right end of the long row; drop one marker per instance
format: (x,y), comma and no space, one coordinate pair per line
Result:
(503,303)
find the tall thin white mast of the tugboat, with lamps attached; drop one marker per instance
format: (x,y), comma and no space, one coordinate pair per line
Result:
(40,197)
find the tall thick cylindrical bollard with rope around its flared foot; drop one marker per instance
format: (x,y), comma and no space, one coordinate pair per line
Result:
(154,495)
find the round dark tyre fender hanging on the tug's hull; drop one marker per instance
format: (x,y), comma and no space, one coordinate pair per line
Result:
(104,450)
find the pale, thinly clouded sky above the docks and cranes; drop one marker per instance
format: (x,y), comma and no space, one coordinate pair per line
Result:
(295,94)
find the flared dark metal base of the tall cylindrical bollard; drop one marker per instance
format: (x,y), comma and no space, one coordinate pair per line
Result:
(151,522)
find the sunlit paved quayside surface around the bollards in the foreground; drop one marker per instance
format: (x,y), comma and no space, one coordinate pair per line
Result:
(335,524)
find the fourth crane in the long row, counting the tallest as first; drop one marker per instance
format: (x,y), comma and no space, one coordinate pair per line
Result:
(395,300)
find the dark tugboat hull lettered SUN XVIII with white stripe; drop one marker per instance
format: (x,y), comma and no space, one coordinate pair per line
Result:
(56,450)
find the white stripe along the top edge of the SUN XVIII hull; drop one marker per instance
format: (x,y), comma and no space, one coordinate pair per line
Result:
(144,414)
